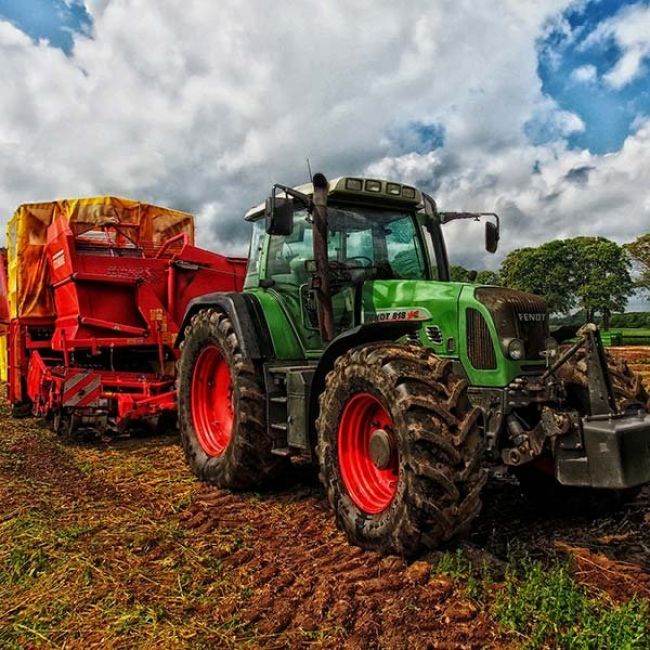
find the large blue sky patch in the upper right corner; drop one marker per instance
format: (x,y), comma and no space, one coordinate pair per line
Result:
(608,113)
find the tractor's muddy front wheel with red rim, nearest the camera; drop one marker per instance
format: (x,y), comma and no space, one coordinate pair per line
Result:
(399,448)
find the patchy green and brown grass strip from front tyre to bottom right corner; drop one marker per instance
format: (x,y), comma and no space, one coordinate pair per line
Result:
(545,607)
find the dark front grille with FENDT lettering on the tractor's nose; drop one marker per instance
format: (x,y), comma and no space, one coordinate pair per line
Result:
(517,315)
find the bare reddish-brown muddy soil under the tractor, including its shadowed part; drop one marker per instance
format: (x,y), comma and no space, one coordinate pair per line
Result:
(305,577)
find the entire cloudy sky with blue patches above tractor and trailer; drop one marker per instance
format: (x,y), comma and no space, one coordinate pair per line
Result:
(539,111)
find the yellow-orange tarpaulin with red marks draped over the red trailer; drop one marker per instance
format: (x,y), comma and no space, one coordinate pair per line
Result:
(28,290)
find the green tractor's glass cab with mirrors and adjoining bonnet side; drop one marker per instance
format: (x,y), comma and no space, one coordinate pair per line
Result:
(382,246)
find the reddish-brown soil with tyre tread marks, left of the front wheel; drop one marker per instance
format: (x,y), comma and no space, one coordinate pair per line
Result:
(303,577)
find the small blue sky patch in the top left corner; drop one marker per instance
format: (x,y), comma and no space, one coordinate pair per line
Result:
(53,20)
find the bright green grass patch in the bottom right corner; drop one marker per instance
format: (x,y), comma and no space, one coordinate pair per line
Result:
(549,609)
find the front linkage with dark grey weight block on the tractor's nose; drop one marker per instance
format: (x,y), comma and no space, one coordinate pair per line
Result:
(607,448)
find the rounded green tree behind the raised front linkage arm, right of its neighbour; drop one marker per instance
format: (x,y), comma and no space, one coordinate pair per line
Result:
(601,276)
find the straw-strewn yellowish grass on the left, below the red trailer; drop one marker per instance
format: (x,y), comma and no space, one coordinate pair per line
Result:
(92,552)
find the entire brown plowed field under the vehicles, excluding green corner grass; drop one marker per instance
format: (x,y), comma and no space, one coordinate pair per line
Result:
(116,545)
